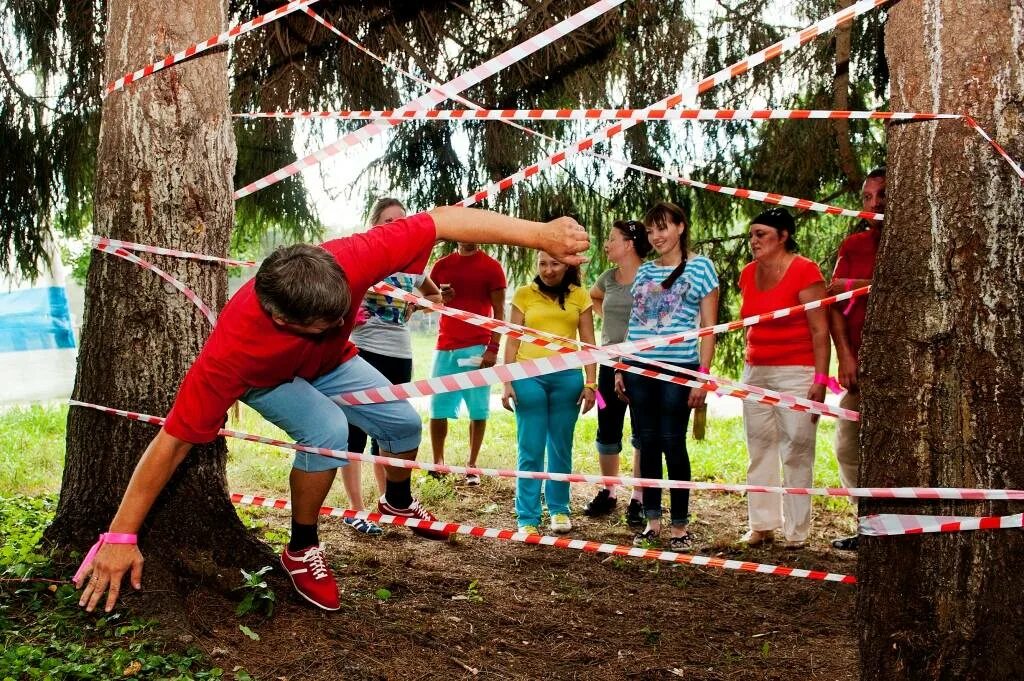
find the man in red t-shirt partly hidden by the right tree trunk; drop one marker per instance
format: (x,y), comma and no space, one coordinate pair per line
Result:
(855,269)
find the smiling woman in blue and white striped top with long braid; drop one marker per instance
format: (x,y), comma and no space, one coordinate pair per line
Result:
(669,295)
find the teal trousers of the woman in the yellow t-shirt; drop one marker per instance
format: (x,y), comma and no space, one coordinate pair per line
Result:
(545,417)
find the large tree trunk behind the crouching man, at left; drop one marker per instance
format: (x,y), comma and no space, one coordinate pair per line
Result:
(166,159)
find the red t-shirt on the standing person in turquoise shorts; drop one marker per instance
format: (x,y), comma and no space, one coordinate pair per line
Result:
(475,278)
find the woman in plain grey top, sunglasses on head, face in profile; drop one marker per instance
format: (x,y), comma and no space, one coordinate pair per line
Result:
(626,247)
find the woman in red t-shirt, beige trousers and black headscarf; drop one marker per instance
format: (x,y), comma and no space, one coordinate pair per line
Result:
(789,355)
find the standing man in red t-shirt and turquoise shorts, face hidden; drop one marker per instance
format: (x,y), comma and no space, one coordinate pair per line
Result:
(473,281)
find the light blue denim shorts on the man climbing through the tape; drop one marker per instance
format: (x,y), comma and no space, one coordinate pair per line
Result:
(309,414)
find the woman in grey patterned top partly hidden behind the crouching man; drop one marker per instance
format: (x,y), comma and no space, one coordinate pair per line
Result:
(385,342)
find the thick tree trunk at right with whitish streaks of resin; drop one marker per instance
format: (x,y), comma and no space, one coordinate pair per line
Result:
(944,355)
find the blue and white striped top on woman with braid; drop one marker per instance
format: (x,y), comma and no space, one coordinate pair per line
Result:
(658,312)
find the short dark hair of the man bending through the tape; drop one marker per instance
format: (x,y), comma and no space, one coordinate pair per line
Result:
(304,285)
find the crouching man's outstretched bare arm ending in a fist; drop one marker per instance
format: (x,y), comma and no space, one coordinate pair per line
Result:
(563,238)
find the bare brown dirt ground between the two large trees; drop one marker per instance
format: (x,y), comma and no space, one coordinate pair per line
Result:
(486,609)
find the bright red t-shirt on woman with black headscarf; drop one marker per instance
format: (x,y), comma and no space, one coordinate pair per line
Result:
(782,343)
